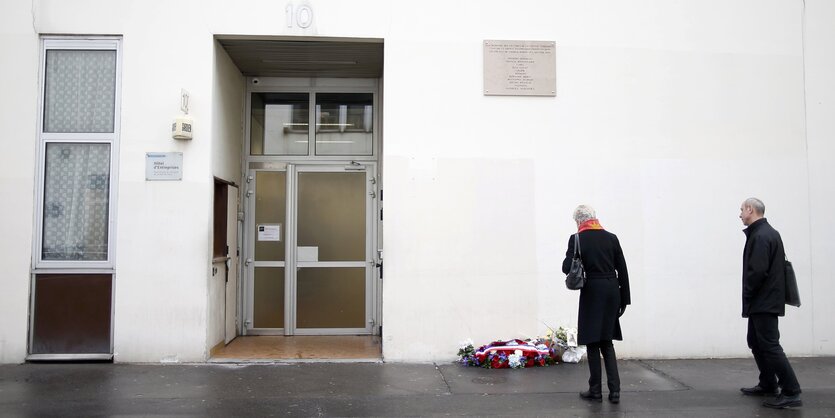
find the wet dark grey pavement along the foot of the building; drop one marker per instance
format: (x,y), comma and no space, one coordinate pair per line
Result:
(654,388)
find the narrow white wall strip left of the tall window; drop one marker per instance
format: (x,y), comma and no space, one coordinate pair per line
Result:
(18,119)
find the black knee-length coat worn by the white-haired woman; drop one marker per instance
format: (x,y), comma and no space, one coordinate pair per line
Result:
(607,287)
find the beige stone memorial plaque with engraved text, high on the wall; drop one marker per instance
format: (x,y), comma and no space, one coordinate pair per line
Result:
(520,68)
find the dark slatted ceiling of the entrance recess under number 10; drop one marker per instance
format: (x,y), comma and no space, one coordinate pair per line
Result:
(281,58)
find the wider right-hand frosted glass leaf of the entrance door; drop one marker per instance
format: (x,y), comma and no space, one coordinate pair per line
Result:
(334,262)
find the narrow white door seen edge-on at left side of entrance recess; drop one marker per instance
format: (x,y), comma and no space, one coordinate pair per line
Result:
(232,281)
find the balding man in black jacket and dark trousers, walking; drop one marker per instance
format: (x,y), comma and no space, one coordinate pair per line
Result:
(763,300)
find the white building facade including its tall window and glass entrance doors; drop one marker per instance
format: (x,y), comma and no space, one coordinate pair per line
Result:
(309,120)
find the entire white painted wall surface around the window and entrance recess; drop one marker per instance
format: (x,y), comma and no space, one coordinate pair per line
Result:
(667,115)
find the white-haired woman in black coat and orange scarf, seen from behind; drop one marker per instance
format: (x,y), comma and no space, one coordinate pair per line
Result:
(603,299)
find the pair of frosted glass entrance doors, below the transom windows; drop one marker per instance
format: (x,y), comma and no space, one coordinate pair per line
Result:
(311,257)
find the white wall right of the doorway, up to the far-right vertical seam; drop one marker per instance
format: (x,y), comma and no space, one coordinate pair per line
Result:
(667,116)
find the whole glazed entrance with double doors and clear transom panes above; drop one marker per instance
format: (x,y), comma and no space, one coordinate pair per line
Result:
(312,246)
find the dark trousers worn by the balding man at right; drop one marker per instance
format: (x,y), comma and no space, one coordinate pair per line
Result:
(764,342)
